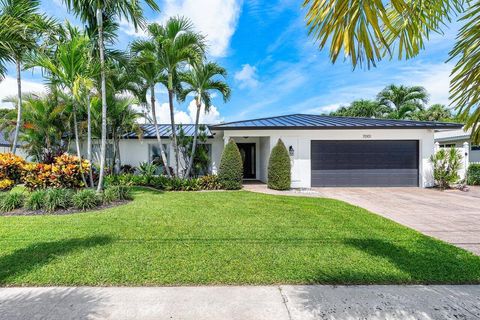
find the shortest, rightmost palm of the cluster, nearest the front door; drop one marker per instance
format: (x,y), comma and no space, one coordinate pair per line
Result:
(201,80)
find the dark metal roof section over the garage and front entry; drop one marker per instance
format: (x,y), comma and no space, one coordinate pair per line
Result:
(310,121)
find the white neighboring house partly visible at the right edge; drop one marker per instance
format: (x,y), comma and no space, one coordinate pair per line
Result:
(458,138)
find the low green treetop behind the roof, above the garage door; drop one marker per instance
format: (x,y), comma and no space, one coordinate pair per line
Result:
(363,108)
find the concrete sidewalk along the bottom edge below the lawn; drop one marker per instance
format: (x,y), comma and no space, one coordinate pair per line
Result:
(243,303)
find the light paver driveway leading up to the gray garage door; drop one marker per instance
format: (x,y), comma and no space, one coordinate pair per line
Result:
(452,216)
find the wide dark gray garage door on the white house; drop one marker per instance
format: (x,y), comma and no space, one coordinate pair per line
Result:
(364,163)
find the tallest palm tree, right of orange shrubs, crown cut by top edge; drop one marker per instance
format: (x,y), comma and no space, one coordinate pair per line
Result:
(93,12)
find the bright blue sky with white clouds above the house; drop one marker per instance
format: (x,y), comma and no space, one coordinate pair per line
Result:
(274,67)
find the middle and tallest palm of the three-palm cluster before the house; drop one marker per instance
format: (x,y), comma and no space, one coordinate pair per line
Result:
(176,44)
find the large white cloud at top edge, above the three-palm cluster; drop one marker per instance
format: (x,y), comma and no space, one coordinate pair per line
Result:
(216,19)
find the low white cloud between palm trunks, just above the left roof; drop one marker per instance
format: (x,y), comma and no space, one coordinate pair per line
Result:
(188,117)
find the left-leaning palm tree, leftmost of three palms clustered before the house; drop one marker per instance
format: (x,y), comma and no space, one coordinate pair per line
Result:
(147,68)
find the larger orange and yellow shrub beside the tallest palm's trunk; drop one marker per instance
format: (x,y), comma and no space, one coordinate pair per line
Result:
(65,172)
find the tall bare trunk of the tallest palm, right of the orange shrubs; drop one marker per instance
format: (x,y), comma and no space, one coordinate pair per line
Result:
(103,146)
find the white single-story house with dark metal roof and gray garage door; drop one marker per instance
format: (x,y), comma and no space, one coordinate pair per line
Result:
(325,151)
